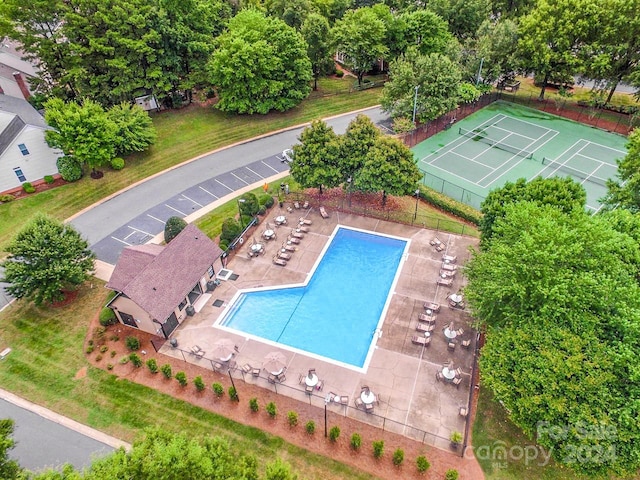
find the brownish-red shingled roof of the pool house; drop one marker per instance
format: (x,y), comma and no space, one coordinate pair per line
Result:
(158,278)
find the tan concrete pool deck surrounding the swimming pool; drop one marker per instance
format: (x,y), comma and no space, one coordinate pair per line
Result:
(402,374)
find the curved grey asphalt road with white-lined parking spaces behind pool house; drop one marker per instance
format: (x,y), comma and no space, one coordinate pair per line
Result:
(136,215)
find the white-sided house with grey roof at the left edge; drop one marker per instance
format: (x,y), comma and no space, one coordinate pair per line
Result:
(24,153)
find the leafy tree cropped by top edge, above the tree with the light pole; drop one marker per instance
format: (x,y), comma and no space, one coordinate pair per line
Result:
(463,16)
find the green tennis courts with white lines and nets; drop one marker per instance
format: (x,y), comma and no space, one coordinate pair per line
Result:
(504,142)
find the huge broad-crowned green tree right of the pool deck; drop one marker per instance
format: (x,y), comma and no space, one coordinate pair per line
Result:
(557,297)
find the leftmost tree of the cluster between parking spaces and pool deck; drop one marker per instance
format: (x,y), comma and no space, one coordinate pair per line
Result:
(316,160)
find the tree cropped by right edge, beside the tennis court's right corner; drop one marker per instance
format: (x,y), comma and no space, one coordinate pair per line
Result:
(625,192)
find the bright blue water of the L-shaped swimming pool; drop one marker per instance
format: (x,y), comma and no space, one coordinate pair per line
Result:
(336,313)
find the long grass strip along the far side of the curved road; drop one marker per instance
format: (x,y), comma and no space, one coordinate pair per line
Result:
(182,135)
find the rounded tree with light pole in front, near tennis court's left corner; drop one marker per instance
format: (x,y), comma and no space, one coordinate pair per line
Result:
(437,79)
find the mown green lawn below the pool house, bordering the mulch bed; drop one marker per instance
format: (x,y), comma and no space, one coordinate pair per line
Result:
(47,353)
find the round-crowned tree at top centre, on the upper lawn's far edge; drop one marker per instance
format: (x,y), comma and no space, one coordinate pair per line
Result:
(360,36)
